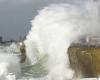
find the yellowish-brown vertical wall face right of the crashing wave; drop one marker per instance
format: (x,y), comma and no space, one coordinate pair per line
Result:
(85,59)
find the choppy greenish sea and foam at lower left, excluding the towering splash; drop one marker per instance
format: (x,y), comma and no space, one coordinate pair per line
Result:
(27,71)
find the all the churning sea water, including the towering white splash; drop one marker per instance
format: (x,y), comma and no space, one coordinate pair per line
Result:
(53,30)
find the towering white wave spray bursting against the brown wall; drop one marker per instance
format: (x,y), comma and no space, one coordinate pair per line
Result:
(54,29)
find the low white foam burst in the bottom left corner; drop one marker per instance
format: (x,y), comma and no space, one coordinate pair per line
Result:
(9,63)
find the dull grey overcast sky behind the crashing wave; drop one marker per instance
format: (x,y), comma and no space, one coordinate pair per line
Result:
(15,15)
